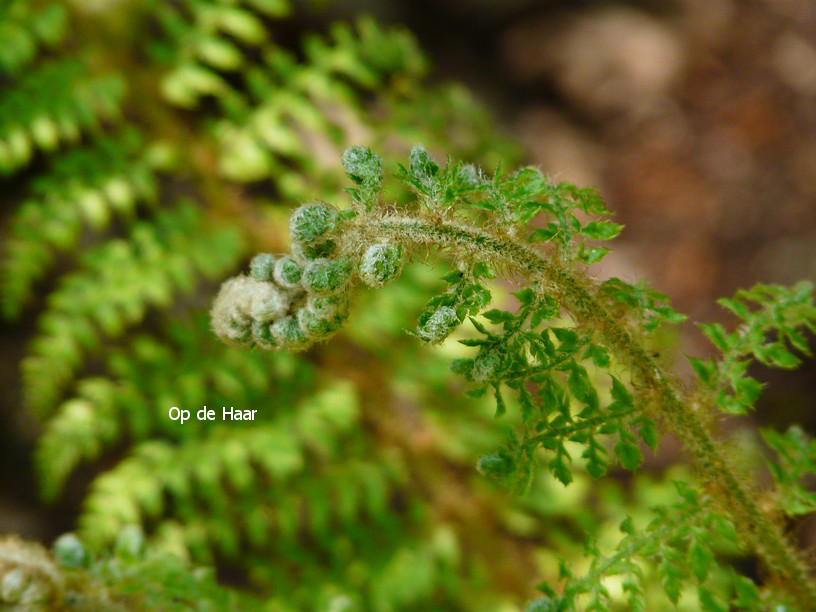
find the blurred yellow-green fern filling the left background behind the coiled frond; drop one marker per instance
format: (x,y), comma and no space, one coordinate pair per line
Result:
(309,503)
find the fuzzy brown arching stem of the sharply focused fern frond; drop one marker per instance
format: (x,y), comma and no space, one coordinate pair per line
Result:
(755,526)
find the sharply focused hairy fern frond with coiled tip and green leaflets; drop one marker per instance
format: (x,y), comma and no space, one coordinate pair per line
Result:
(548,354)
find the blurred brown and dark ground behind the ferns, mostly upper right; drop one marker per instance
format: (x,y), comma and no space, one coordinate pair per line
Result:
(696,120)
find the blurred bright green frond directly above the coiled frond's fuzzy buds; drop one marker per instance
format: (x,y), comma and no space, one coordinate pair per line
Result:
(301,113)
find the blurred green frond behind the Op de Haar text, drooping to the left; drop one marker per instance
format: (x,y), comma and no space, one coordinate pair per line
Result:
(181,368)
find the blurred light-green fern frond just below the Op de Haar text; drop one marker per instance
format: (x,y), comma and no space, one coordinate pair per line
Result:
(237,457)
